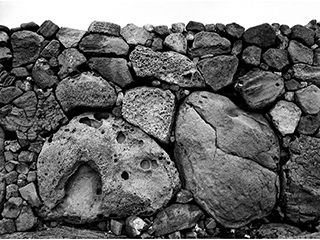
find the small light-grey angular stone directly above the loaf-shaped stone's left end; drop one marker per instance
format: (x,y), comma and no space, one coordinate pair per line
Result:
(70,59)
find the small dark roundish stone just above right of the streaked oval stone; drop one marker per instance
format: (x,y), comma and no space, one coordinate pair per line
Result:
(276,58)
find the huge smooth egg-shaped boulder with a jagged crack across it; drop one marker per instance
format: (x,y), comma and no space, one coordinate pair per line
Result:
(217,147)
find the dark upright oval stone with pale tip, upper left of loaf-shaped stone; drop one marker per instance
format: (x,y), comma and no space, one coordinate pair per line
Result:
(43,75)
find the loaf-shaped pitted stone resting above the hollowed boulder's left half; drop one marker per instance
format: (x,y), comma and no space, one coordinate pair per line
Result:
(85,90)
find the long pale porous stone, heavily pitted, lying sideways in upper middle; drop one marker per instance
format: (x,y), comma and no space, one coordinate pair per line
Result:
(170,67)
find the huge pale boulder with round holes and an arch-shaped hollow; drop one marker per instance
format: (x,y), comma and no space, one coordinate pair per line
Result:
(101,165)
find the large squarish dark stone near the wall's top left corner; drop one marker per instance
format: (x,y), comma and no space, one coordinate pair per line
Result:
(26,46)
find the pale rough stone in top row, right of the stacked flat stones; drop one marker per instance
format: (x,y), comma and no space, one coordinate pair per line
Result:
(135,35)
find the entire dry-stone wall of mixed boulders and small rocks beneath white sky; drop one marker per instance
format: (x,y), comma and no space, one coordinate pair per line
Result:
(190,131)
